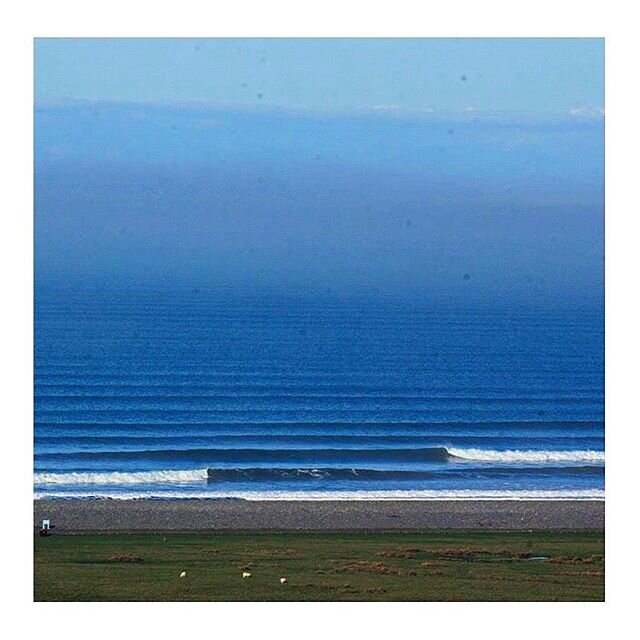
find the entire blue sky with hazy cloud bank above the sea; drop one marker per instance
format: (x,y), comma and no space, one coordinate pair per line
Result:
(459,171)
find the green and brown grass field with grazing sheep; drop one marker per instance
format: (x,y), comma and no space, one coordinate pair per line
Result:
(427,566)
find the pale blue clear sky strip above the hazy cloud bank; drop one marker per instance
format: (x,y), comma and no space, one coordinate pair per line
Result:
(548,76)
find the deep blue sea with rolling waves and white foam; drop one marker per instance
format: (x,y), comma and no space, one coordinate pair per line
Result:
(196,394)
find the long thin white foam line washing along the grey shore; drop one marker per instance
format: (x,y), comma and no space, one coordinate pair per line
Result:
(465,494)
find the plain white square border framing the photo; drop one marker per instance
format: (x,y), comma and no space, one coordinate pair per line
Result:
(278,18)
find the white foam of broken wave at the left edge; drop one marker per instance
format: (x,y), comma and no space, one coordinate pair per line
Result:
(117,477)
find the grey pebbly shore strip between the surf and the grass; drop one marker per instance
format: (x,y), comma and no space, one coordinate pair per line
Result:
(225,515)
